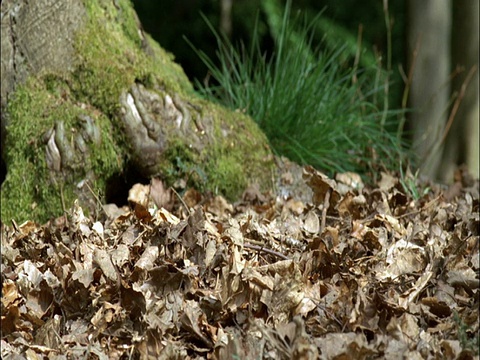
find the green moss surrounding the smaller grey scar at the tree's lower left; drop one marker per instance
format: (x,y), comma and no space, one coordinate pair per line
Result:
(38,193)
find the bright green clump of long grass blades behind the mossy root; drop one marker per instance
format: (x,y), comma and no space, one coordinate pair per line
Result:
(314,107)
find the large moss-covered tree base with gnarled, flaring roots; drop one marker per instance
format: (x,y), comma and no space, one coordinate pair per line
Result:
(86,94)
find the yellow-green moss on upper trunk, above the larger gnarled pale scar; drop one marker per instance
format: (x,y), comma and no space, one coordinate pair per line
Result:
(113,56)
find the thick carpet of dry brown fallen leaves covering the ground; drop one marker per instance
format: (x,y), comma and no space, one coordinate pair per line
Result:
(347,272)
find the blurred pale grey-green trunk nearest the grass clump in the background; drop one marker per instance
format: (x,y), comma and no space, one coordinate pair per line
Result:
(429,54)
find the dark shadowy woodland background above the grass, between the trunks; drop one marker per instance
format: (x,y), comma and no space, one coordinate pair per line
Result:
(169,20)
